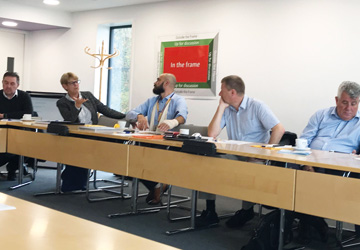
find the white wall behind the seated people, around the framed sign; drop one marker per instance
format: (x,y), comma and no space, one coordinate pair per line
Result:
(291,54)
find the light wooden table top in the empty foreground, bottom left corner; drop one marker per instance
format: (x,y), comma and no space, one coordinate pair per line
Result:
(31,226)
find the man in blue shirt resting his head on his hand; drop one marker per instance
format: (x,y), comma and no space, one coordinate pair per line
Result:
(245,119)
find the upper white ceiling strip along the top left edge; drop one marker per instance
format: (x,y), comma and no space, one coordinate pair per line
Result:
(82,5)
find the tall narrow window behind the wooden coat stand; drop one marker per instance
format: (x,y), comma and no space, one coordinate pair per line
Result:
(119,75)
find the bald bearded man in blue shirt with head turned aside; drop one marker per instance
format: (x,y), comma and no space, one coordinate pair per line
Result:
(160,113)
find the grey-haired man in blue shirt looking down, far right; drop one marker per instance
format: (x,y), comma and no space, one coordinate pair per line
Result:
(334,129)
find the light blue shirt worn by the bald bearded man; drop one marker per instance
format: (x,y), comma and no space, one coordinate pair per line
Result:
(177,108)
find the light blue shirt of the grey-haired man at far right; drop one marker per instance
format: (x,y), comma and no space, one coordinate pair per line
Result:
(327,131)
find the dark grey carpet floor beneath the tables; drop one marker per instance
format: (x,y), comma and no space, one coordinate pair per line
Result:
(152,226)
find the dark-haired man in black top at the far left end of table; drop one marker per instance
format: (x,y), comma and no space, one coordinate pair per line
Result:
(14,104)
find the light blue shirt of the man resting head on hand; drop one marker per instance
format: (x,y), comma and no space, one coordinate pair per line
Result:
(252,122)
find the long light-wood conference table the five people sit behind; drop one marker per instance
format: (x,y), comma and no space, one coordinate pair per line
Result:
(328,196)
